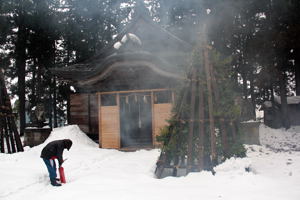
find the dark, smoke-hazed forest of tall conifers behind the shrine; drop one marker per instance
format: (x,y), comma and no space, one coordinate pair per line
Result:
(262,37)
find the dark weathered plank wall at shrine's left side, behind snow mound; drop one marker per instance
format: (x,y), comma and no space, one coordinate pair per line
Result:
(84,112)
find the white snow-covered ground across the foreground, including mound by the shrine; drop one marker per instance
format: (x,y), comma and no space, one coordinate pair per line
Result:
(94,173)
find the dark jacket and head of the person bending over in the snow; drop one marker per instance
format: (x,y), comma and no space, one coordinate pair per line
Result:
(55,149)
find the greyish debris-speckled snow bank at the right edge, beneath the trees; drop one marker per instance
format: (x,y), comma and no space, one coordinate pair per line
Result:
(280,139)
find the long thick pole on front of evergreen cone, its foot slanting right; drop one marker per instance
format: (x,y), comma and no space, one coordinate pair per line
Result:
(210,108)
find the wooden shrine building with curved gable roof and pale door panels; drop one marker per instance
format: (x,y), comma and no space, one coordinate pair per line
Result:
(124,94)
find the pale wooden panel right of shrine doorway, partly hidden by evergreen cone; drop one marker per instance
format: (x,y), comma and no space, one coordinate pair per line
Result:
(161,112)
